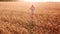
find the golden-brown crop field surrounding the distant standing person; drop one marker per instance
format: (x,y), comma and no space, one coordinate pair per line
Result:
(44,21)
